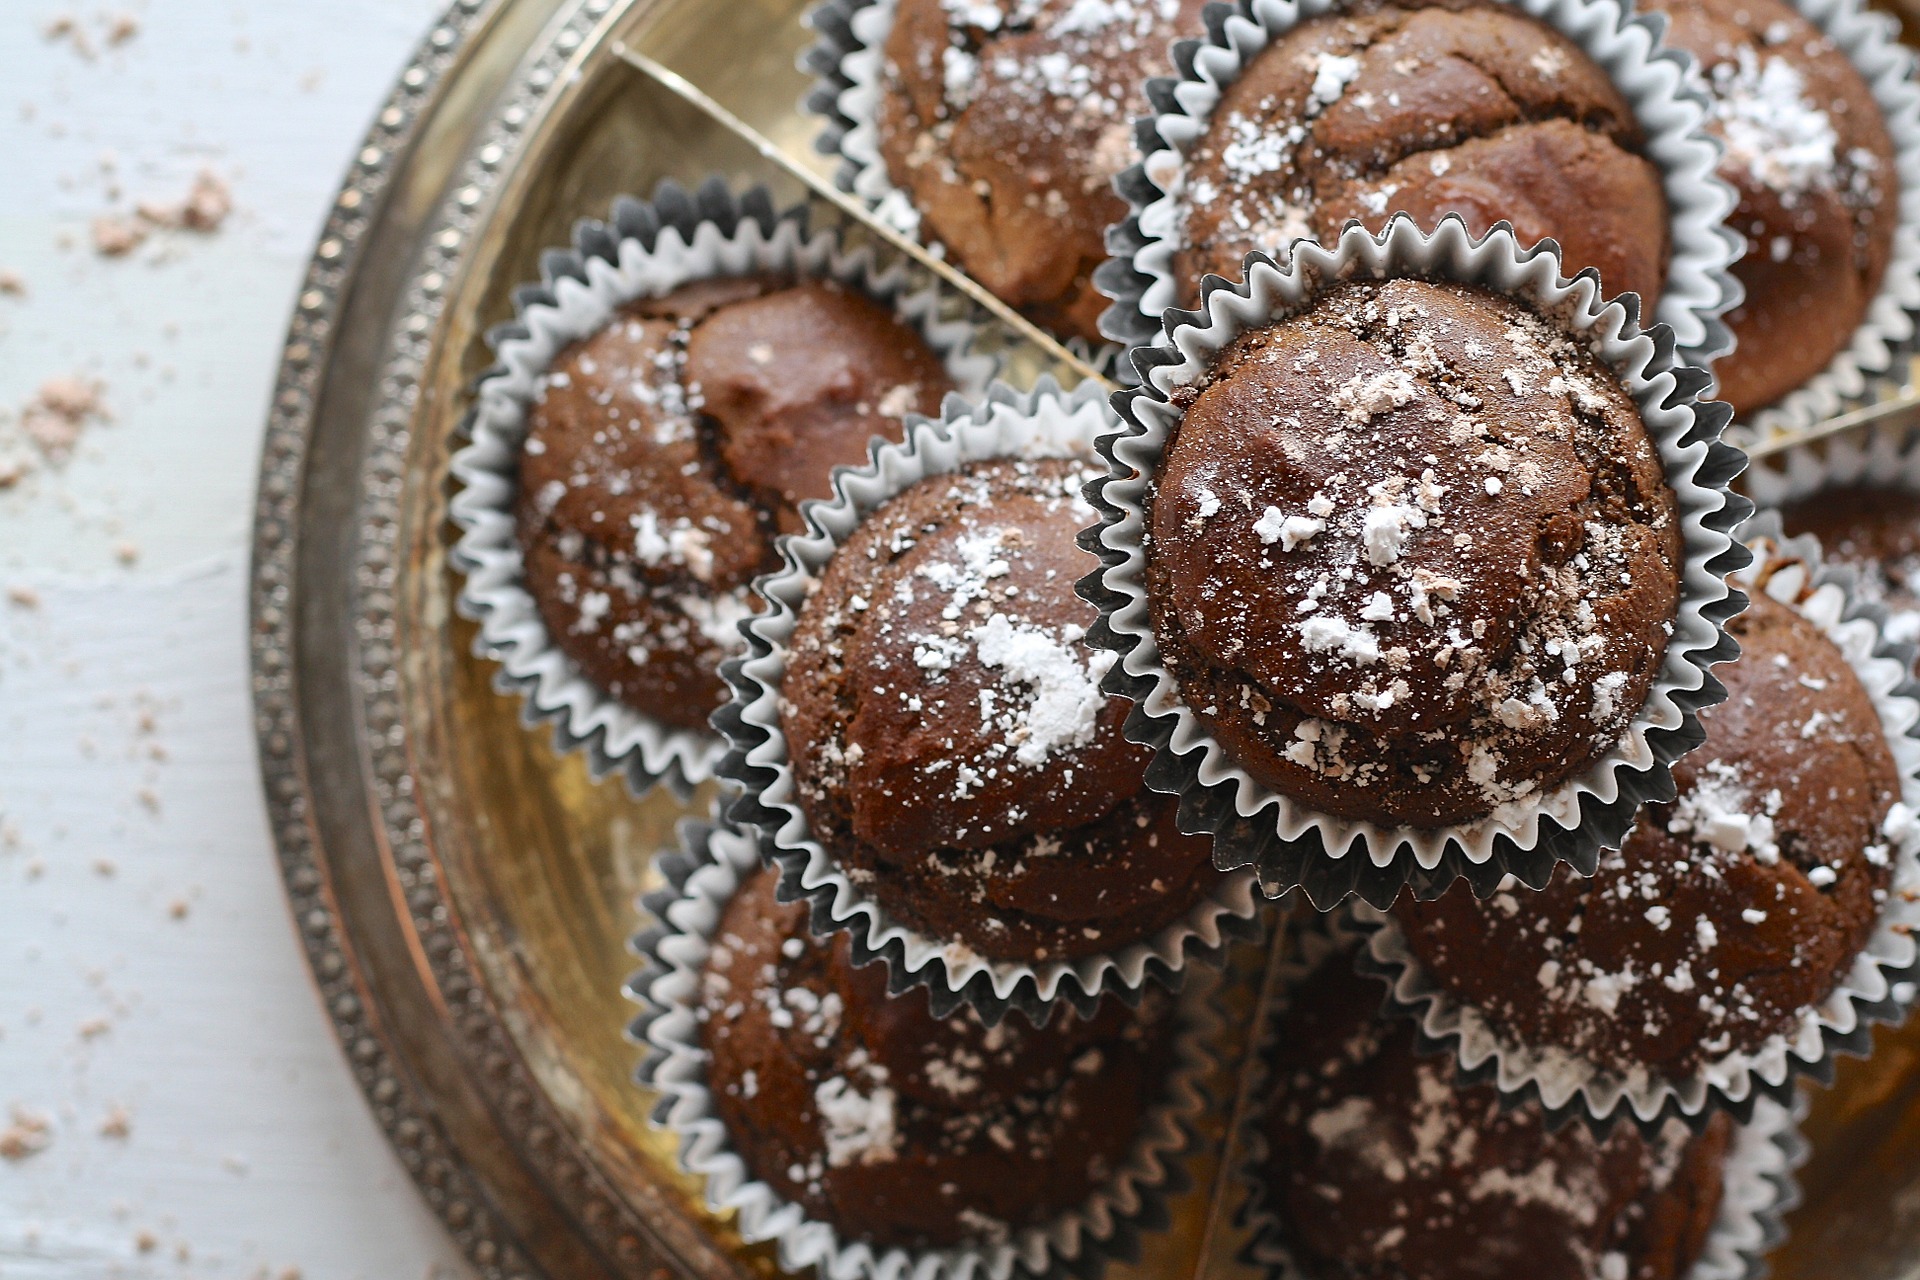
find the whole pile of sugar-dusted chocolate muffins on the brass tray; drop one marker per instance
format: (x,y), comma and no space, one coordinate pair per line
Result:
(1404,563)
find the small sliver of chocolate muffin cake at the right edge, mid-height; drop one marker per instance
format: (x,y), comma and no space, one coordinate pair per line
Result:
(1877,531)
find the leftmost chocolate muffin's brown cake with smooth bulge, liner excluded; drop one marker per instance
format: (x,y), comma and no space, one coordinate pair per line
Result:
(669,450)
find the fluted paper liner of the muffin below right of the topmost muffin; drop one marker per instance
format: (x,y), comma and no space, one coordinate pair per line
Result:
(1875,991)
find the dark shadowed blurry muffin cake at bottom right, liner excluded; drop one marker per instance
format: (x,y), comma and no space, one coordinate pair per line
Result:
(1380,1168)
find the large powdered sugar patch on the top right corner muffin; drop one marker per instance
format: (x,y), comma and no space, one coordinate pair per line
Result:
(1769,124)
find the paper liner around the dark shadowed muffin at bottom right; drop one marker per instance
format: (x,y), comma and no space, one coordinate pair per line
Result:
(1758,1193)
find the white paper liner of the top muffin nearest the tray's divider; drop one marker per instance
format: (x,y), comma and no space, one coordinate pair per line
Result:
(848,60)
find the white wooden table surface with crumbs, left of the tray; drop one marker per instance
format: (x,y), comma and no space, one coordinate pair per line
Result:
(155,1010)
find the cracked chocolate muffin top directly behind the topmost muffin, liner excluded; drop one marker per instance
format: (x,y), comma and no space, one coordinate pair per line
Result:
(1462,107)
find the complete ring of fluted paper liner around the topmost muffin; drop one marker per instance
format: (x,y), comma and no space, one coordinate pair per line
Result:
(1328,857)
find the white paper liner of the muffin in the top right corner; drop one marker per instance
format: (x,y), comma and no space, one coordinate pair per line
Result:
(1871,43)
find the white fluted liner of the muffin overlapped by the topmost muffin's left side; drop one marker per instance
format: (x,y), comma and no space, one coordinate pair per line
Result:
(1044,423)
